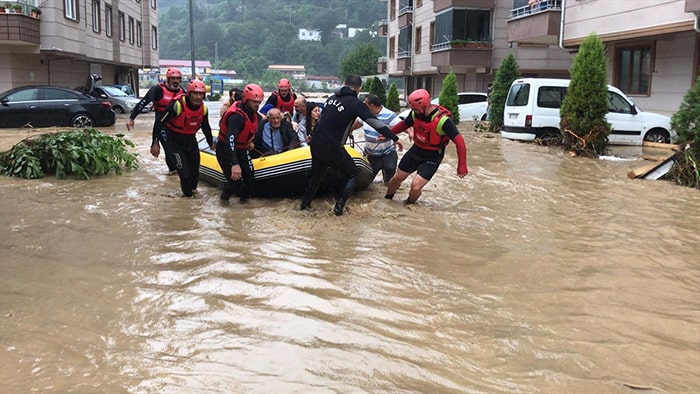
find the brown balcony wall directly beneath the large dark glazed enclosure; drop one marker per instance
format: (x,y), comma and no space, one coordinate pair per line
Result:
(468,54)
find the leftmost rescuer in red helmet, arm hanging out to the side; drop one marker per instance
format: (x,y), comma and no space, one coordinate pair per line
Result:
(161,96)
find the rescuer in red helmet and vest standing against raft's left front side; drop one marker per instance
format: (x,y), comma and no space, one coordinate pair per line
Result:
(237,130)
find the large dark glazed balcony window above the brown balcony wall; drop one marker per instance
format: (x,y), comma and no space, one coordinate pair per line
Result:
(461,24)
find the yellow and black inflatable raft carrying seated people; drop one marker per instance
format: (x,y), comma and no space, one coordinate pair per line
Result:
(283,174)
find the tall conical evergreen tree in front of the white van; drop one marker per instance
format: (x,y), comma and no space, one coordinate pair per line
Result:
(584,127)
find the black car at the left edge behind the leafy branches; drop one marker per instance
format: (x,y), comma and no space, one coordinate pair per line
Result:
(45,106)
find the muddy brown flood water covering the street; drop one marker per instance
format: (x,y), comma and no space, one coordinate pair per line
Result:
(536,273)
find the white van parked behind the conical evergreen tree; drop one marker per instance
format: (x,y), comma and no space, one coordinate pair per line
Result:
(532,111)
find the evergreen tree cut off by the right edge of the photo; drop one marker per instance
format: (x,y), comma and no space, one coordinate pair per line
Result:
(686,170)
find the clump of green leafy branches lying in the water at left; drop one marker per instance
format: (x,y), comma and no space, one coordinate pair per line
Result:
(83,153)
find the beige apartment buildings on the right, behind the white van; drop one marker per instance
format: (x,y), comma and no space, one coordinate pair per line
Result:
(652,44)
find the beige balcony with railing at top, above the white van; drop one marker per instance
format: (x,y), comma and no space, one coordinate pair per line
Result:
(536,23)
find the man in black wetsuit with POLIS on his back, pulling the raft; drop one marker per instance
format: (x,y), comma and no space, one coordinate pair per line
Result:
(331,132)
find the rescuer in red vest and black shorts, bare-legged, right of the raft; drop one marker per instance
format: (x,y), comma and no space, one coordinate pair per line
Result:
(432,131)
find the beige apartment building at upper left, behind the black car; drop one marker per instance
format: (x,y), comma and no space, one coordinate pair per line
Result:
(72,39)
